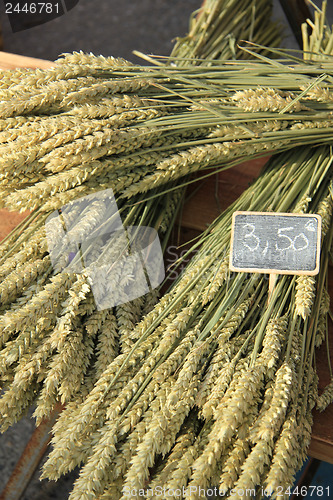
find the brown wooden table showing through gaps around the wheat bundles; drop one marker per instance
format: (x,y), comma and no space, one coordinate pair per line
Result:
(199,211)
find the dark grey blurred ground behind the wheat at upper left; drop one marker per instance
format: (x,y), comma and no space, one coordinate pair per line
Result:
(108,27)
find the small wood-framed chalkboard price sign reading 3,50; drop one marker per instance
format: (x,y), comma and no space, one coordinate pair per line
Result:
(275,243)
